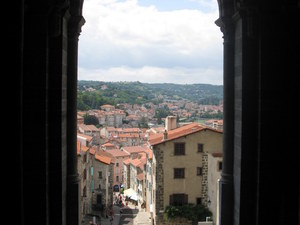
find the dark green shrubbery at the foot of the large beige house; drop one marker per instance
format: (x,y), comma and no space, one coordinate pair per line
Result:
(191,212)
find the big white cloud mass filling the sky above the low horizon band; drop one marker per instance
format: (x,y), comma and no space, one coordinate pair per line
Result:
(122,34)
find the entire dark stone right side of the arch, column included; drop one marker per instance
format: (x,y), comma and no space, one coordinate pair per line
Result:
(259,37)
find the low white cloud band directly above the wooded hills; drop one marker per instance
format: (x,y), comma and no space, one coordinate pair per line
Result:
(153,75)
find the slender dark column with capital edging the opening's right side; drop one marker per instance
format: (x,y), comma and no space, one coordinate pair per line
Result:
(226,183)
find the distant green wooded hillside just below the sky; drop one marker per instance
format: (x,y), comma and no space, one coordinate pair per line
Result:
(92,94)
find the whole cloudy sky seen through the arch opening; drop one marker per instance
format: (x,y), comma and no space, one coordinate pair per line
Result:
(151,41)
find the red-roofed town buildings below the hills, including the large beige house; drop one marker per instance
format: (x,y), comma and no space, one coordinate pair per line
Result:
(152,162)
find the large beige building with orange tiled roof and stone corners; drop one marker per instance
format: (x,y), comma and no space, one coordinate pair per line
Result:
(180,166)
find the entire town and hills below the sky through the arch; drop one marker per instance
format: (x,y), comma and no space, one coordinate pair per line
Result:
(149,153)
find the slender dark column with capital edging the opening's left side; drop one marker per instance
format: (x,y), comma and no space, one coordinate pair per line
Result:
(74,27)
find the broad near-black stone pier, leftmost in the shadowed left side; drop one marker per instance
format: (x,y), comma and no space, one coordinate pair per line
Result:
(35,134)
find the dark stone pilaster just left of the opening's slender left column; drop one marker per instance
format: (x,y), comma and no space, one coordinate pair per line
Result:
(58,117)
